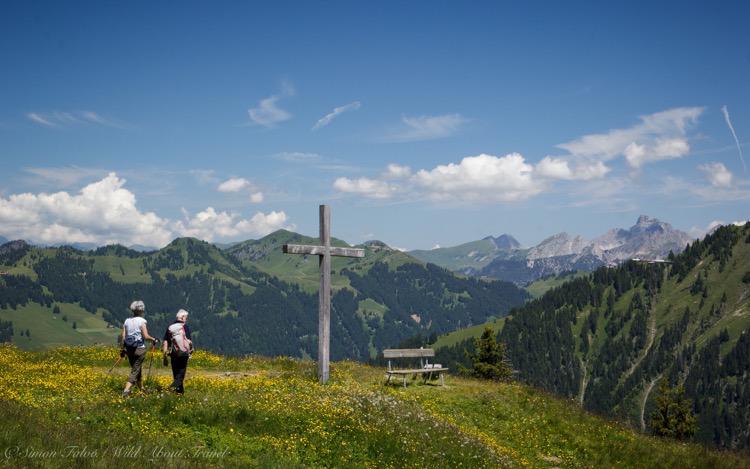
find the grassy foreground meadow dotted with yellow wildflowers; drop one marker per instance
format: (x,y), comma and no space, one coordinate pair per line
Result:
(260,412)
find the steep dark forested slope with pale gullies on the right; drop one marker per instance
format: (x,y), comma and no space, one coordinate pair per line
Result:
(609,338)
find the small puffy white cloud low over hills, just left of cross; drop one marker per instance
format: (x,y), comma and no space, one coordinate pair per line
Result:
(210,224)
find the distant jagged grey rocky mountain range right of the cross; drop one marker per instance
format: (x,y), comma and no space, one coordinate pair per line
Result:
(503,257)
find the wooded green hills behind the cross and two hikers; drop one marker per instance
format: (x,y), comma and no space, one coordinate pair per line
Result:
(251,298)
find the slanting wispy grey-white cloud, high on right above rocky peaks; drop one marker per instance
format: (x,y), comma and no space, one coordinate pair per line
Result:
(658,136)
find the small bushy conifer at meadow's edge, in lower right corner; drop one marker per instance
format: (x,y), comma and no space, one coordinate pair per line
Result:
(673,416)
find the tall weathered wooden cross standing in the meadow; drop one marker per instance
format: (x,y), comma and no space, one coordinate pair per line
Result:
(325,251)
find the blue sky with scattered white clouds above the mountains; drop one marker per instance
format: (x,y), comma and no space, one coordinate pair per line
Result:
(420,124)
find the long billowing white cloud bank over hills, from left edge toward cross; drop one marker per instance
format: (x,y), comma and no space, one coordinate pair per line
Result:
(106,212)
